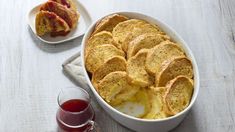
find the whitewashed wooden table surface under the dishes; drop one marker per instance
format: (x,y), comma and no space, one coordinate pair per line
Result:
(31,74)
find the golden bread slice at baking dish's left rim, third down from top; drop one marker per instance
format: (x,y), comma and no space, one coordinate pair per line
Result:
(99,55)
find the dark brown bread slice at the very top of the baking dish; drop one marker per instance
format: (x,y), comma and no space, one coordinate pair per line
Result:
(109,22)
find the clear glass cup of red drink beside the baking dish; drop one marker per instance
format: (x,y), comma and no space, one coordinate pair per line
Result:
(75,113)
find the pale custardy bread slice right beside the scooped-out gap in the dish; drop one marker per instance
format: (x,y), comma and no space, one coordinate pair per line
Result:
(157,105)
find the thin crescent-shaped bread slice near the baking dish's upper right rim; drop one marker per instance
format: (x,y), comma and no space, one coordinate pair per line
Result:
(144,29)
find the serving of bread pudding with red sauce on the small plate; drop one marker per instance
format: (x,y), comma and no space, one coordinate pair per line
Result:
(67,17)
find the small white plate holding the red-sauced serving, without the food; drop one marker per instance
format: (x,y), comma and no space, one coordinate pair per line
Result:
(83,23)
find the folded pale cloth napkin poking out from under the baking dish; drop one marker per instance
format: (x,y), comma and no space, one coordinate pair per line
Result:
(73,67)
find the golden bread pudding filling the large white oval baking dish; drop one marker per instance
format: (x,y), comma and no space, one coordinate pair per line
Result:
(138,69)
